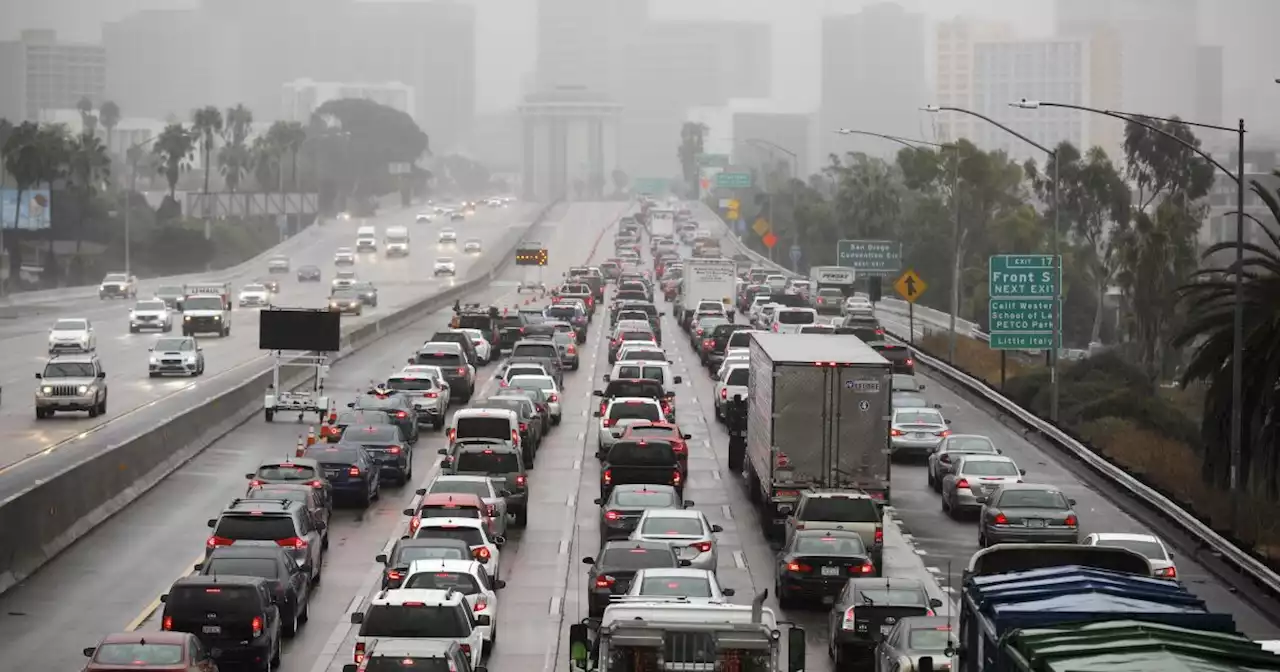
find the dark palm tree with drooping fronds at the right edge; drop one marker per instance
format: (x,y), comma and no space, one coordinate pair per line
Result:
(1210,303)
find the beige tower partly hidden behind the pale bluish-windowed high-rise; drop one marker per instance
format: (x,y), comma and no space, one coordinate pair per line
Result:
(954,74)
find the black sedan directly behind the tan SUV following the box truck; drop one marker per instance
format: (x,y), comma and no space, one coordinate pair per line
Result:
(815,566)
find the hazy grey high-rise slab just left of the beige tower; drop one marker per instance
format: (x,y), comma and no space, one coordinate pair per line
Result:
(874,76)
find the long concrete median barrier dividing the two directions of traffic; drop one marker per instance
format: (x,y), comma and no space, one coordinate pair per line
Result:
(52,514)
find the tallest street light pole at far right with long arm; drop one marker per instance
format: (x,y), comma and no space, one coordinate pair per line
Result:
(1238,309)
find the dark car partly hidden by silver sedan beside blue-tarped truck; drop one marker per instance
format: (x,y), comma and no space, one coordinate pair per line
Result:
(866,611)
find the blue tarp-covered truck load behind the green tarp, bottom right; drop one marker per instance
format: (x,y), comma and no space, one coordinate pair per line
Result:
(996,605)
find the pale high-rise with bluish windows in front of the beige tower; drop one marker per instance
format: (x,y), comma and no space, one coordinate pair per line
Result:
(1055,70)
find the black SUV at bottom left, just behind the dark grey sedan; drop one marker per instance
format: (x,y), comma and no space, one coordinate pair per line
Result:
(234,616)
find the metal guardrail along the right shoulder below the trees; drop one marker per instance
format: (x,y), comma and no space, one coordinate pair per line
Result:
(1241,561)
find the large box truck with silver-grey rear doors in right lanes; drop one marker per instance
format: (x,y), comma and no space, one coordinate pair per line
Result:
(819,417)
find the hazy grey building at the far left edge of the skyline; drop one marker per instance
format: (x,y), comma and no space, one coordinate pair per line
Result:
(40,74)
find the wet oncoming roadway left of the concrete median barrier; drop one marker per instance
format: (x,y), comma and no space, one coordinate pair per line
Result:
(31,450)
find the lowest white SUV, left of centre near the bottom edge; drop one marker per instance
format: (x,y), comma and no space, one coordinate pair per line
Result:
(419,616)
